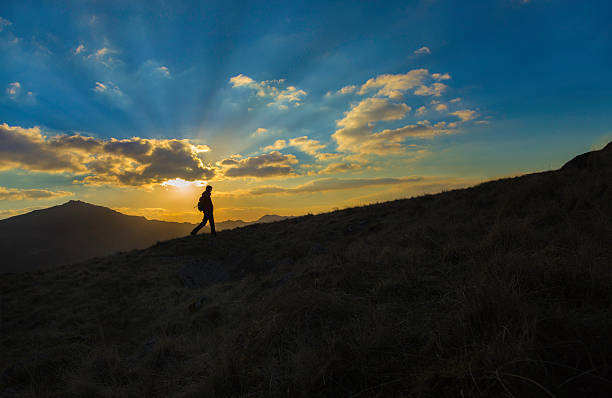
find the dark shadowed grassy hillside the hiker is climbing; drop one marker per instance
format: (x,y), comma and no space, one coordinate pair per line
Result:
(503,289)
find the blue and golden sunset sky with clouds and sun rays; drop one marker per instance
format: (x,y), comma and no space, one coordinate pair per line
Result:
(291,107)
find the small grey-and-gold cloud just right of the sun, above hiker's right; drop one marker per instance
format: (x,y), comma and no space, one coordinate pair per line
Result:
(273,164)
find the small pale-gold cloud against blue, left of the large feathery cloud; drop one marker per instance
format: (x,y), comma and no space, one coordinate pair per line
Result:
(271,90)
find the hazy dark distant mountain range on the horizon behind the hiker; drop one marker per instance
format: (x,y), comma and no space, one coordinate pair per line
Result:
(76,231)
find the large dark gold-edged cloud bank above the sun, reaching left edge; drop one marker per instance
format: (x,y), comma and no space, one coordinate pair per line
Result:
(126,162)
